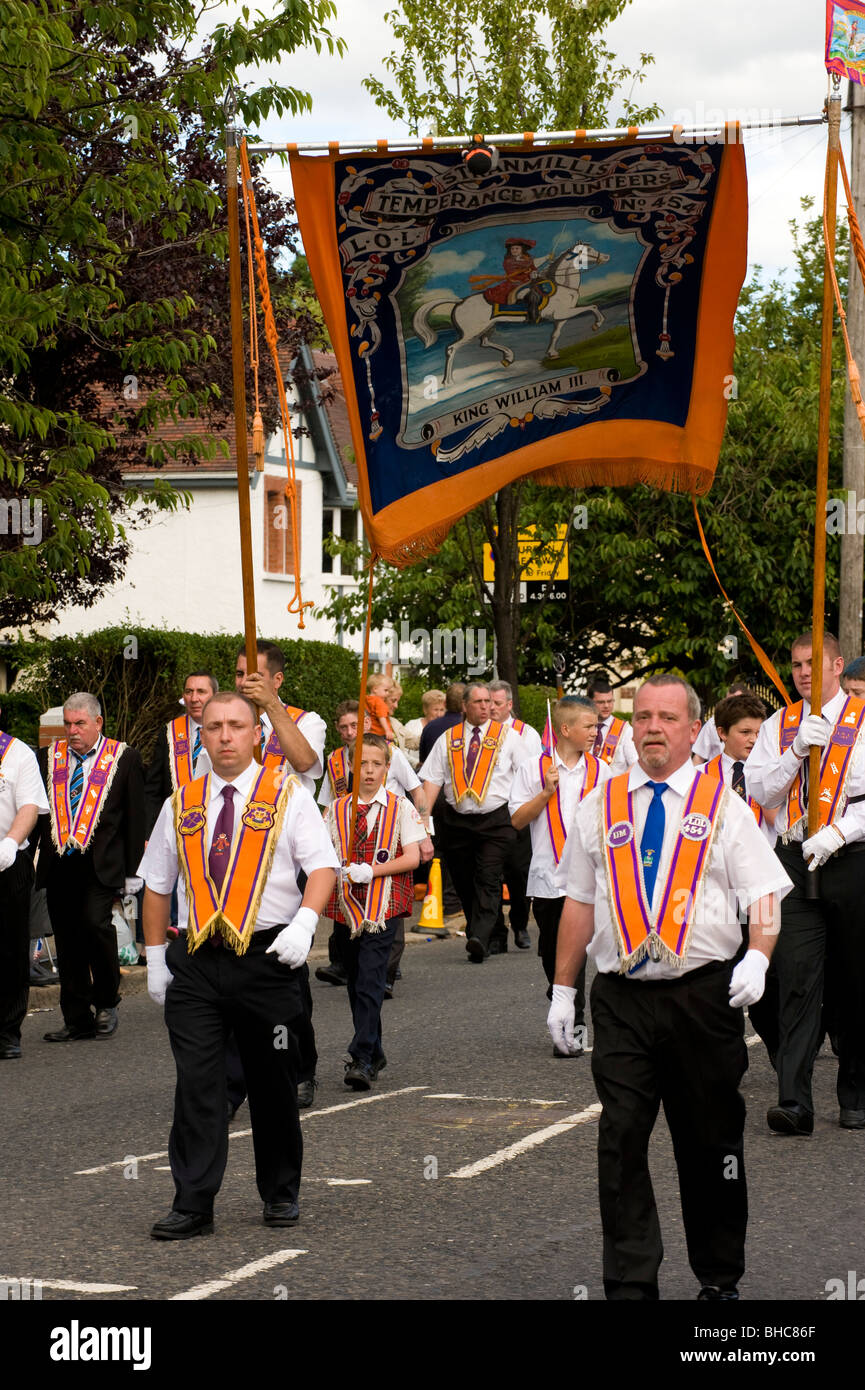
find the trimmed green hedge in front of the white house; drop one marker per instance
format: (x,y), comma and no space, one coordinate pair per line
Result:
(138,676)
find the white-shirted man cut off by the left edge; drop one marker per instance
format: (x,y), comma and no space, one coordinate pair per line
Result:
(23,801)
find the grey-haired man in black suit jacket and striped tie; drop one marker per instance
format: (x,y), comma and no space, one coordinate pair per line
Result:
(88,858)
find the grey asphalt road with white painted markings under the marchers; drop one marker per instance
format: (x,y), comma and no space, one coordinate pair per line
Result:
(468,1174)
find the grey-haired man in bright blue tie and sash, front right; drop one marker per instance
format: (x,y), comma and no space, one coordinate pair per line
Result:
(658,860)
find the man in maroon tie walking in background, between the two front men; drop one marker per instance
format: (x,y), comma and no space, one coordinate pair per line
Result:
(475,762)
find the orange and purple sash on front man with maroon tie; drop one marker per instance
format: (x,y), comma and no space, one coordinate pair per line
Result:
(233,913)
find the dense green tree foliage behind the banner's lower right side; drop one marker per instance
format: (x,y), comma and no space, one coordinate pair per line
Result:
(642,594)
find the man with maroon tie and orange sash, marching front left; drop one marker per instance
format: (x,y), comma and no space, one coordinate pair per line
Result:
(248,938)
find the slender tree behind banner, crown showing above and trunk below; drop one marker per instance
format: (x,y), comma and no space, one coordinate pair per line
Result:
(500,66)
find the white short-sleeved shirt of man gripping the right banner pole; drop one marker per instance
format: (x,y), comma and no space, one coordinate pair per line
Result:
(770,776)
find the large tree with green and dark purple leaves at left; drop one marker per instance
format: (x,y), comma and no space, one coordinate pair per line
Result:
(113,298)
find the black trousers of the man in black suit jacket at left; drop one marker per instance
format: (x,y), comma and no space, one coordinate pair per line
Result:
(80,908)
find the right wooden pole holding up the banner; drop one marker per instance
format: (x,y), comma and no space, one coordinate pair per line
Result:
(834,108)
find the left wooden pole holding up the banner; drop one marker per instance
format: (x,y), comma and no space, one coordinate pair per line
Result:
(239,370)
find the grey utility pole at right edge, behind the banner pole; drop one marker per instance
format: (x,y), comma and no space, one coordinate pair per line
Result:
(853,541)
